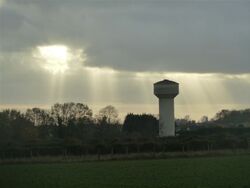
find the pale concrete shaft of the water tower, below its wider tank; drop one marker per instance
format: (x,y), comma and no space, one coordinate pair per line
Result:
(166,121)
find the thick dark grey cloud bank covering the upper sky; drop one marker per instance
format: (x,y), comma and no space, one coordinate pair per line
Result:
(201,37)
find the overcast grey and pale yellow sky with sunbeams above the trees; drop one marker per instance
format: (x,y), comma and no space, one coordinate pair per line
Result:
(111,52)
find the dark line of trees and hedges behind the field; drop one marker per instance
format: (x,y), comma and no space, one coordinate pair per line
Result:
(73,129)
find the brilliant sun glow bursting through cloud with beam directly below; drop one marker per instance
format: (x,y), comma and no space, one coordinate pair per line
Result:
(60,61)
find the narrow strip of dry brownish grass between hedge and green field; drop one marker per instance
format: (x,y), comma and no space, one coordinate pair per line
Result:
(130,156)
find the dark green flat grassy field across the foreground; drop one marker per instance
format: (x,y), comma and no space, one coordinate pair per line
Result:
(211,172)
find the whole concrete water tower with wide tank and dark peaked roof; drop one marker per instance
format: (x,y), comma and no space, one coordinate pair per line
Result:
(166,91)
